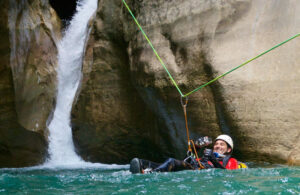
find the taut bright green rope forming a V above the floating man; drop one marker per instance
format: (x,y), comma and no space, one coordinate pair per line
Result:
(209,82)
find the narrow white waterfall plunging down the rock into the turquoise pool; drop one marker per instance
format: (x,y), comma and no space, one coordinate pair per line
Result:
(70,56)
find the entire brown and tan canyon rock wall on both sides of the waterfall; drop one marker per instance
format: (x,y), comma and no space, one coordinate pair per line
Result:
(127,106)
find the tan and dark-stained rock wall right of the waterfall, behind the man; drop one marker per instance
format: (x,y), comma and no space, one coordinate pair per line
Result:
(198,40)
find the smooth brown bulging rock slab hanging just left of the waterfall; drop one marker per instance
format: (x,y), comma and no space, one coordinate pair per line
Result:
(34,30)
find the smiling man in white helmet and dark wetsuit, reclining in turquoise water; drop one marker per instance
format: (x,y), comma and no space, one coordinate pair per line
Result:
(219,157)
